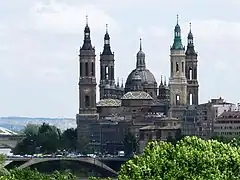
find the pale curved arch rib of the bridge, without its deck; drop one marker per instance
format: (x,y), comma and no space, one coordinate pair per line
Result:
(88,160)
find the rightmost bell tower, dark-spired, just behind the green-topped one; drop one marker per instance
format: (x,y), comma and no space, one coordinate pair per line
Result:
(191,71)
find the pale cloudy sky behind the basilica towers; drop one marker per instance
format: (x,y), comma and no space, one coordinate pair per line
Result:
(40,40)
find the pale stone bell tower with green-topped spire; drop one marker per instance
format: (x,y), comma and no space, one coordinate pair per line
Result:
(177,80)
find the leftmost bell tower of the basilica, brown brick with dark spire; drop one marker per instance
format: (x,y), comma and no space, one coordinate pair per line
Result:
(87,79)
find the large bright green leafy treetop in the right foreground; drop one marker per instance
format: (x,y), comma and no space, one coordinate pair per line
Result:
(191,158)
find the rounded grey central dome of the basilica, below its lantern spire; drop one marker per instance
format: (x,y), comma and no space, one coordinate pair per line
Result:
(146,77)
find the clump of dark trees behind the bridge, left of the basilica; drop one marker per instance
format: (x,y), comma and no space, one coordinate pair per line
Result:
(46,139)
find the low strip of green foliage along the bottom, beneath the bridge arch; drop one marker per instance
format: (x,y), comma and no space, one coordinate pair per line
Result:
(26,174)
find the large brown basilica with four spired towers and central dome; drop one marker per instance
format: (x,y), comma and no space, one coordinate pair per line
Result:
(141,103)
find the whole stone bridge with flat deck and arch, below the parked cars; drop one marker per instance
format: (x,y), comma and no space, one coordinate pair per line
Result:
(96,163)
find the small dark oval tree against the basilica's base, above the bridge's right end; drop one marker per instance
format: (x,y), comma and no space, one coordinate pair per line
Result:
(130,144)
